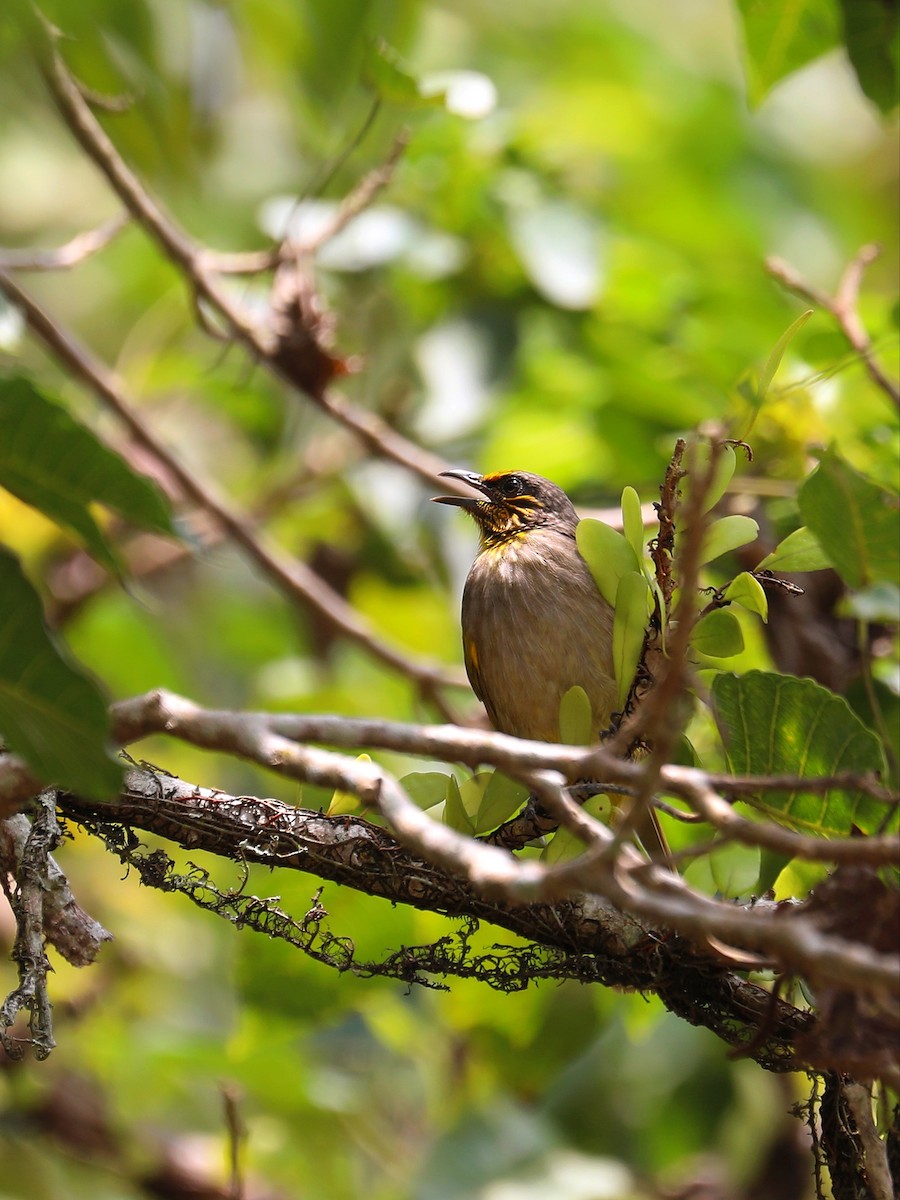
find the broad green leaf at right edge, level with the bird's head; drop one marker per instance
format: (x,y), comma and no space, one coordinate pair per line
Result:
(856,521)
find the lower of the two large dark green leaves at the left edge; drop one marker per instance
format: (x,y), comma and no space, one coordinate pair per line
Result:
(51,712)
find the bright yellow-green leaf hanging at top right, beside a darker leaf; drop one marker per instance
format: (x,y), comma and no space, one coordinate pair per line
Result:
(782,38)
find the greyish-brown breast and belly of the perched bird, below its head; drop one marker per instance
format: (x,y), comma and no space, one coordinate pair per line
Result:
(536,638)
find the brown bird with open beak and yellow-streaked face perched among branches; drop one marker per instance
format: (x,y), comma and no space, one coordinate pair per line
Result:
(535,623)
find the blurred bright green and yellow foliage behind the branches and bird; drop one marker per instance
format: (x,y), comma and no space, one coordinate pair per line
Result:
(562,285)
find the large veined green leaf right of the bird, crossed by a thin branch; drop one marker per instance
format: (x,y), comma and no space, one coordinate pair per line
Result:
(779,725)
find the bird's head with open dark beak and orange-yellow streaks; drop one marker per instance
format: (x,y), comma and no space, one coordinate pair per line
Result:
(512,503)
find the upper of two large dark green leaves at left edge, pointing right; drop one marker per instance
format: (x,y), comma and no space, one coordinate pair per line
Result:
(58,466)
